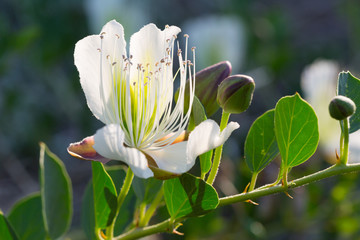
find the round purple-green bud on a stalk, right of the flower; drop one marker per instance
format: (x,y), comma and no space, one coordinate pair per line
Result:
(235,93)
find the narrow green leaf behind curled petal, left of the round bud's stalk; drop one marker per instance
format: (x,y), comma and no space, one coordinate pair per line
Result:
(198,115)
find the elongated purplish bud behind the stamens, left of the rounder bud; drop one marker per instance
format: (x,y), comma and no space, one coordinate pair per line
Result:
(206,86)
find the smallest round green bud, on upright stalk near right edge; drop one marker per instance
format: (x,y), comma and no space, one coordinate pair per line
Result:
(341,107)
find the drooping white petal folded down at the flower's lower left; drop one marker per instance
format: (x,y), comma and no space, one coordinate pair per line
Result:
(109,142)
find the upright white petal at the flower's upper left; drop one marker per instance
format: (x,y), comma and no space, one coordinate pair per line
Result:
(87,57)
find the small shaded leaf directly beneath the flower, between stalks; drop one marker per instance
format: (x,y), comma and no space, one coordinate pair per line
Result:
(146,189)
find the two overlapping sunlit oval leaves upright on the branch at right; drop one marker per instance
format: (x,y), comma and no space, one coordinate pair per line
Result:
(291,129)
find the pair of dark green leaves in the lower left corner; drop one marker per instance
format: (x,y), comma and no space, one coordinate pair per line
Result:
(46,214)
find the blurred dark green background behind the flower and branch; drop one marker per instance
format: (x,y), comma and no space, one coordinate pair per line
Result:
(271,40)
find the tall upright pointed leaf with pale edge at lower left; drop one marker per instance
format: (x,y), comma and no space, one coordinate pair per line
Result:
(56,193)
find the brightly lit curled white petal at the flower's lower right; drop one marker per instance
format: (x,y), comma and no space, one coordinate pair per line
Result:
(207,136)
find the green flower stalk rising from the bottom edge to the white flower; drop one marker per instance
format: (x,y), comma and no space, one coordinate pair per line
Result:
(120,200)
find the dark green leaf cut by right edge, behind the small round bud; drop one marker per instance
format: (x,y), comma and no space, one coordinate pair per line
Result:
(349,86)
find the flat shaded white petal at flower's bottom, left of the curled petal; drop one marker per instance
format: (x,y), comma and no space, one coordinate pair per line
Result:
(171,158)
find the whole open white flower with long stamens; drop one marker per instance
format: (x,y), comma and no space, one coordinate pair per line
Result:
(133,95)
